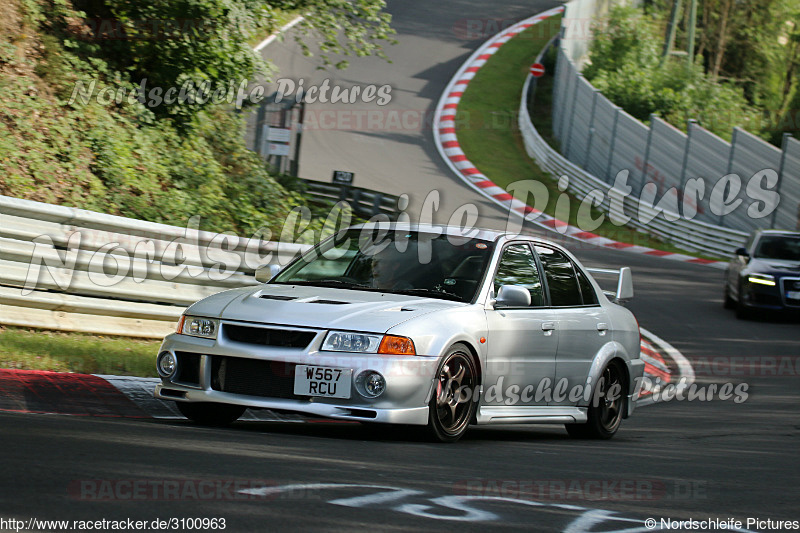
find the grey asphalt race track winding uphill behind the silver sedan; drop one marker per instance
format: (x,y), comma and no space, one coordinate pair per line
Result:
(678,460)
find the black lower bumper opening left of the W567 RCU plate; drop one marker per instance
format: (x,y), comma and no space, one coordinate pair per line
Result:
(253,377)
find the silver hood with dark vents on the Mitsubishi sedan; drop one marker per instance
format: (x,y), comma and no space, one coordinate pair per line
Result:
(318,307)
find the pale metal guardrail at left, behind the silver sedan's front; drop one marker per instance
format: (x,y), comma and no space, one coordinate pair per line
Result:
(76,270)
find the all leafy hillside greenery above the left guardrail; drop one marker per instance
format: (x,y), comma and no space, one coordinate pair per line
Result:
(162,164)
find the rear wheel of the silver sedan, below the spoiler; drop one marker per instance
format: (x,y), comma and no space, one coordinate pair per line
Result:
(605,418)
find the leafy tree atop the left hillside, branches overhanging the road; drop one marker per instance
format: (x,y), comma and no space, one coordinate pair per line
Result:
(203,46)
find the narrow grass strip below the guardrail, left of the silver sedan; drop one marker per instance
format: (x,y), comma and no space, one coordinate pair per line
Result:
(27,349)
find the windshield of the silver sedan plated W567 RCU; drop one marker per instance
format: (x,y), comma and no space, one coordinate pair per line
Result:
(401,262)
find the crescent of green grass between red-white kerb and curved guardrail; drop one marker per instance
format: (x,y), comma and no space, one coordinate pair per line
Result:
(488,130)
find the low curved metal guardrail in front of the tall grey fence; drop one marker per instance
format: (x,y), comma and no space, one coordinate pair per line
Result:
(692,235)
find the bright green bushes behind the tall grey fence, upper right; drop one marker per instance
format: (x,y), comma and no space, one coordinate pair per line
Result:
(626,67)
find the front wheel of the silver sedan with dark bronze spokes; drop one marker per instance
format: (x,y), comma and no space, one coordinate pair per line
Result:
(453,405)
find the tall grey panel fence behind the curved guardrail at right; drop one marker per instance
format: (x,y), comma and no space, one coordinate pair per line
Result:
(744,184)
